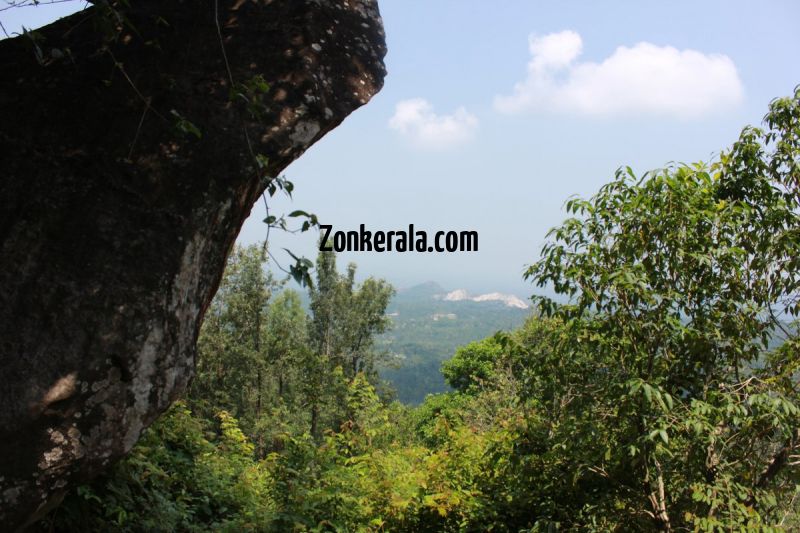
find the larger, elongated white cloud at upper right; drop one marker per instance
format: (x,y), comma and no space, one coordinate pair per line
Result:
(642,79)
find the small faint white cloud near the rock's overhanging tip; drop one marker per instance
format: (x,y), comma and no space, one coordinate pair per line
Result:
(416,120)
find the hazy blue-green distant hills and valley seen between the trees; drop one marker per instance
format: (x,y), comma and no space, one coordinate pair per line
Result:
(429,323)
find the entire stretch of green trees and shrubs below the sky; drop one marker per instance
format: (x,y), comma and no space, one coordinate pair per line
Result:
(658,391)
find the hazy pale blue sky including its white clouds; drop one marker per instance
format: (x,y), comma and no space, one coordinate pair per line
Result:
(494,113)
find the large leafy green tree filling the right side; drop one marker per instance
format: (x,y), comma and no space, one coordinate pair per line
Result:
(676,411)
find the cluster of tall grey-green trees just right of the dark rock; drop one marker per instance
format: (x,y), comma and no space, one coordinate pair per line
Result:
(272,366)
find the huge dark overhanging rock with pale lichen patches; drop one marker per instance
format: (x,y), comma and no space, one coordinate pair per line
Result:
(127,166)
